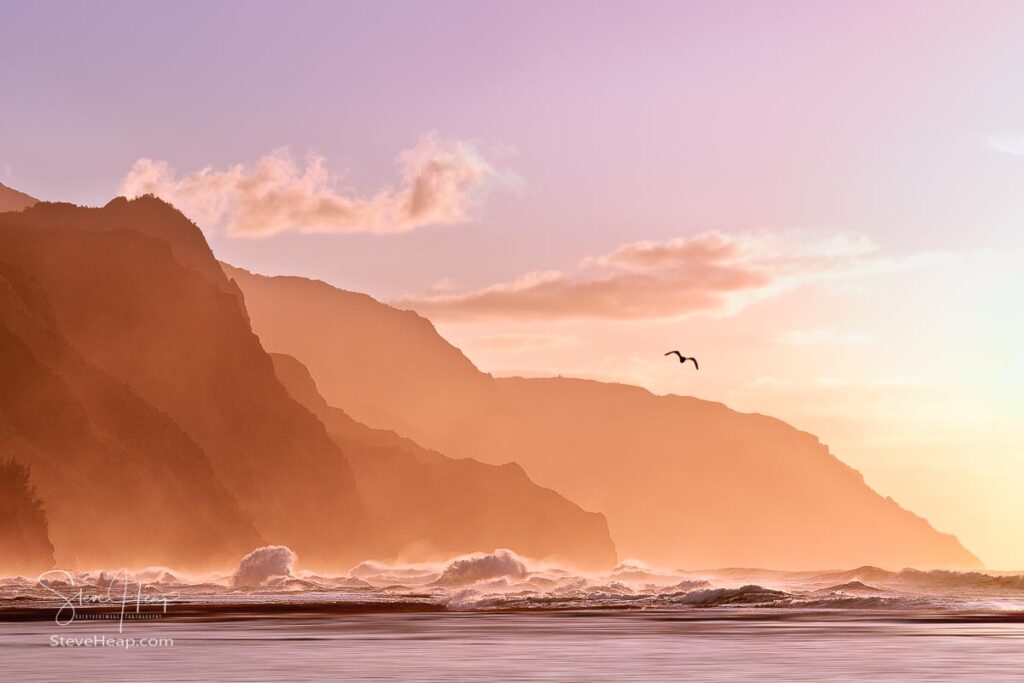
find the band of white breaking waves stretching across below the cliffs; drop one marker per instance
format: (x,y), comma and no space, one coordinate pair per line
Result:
(504,581)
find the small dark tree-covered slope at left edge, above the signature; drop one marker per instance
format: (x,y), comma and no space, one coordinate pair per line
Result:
(25,543)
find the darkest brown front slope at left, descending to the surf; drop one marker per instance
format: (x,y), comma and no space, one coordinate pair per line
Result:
(122,485)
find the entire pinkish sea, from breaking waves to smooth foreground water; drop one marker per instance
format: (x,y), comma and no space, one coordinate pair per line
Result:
(499,618)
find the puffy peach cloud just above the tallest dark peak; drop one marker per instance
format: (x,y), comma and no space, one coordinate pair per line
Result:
(442,184)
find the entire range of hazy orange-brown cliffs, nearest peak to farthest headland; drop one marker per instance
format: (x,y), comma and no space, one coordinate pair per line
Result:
(159,431)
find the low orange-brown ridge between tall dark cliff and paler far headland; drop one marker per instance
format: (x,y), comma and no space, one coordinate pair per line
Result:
(434,507)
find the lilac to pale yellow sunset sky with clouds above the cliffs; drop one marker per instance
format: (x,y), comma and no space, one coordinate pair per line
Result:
(822,202)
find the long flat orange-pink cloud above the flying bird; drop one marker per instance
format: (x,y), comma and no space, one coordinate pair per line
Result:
(707,273)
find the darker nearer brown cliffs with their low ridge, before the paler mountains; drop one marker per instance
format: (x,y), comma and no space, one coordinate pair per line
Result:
(159,432)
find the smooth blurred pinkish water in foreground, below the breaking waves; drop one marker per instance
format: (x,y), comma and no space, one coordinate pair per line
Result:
(712,646)
